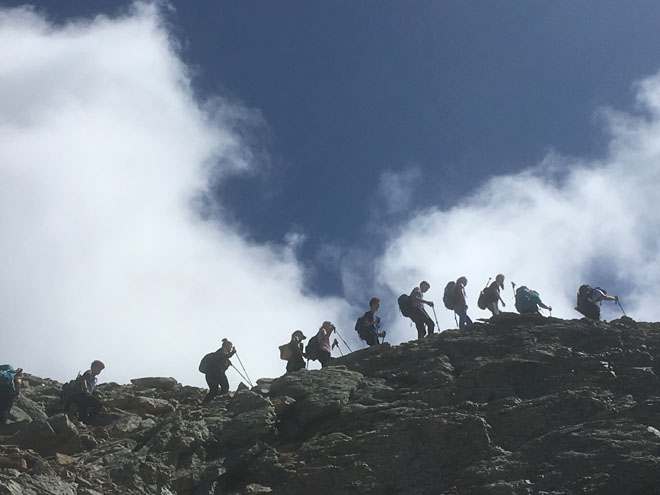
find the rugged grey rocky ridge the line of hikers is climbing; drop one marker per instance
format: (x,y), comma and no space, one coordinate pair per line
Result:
(514,405)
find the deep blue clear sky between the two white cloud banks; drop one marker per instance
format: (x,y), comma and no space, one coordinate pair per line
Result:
(462,90)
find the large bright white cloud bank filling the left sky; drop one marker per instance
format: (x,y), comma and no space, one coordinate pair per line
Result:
(103,150)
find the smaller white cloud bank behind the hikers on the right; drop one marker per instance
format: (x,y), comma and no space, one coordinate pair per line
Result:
(551,228)
